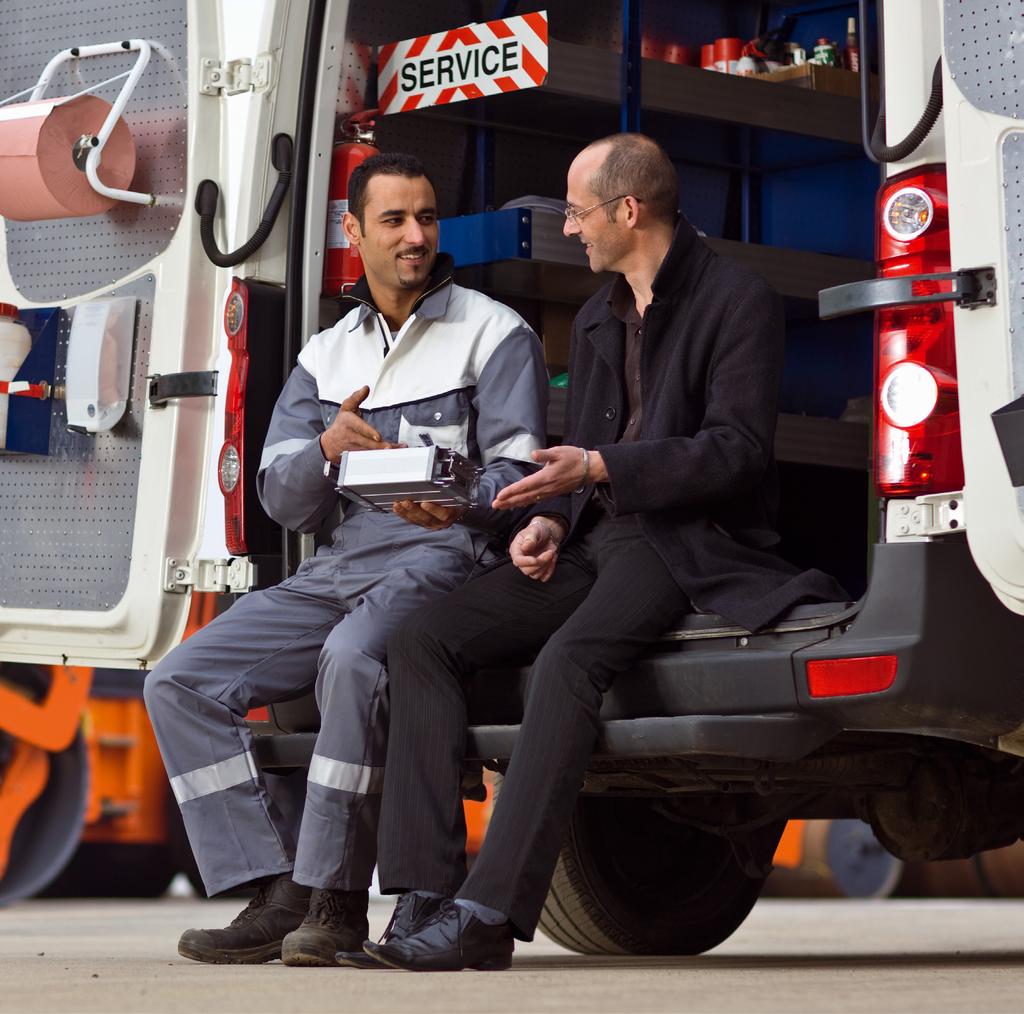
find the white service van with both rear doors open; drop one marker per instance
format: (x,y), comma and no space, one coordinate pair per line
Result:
(905,708)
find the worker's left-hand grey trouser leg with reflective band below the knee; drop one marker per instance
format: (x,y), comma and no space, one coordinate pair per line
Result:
(264,649)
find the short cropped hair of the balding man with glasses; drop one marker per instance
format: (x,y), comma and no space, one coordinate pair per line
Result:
(637,165)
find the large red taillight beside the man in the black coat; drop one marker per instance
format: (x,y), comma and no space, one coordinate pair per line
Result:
(917,412)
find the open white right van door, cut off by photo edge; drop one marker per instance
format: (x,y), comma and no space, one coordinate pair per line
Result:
(984,65)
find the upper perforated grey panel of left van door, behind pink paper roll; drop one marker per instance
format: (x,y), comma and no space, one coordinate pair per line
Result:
(53,262)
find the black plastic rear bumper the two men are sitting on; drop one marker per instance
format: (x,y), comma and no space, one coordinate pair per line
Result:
(713,691)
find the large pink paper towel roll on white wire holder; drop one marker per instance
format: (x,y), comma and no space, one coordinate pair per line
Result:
(38,175)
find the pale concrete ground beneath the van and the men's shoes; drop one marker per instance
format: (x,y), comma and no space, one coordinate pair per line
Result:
(788,957)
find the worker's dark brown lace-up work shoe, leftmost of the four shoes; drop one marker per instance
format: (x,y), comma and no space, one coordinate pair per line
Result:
(255,935)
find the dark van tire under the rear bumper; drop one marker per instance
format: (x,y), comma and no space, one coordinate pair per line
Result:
(632,881)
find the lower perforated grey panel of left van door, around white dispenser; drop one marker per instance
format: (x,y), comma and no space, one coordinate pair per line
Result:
(67,520)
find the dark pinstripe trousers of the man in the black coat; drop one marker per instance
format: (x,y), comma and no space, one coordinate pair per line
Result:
(611,597)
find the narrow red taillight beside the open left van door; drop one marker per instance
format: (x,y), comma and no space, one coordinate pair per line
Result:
(231,466)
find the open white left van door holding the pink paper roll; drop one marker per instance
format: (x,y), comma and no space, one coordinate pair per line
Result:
(107,481)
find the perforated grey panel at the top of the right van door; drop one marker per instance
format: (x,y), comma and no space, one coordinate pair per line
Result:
(985,49)
